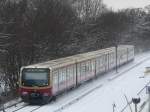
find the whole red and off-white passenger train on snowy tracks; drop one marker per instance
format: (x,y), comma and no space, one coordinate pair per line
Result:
(44,81)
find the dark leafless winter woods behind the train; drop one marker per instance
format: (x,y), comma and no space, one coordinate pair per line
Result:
(33,31)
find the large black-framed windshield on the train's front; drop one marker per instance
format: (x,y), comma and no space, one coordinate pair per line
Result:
(35,77)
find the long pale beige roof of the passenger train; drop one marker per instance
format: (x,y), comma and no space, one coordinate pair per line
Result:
(57,63)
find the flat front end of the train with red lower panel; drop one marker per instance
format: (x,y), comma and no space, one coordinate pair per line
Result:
(35,85)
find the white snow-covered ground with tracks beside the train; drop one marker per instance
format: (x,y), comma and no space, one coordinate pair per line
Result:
(100,94)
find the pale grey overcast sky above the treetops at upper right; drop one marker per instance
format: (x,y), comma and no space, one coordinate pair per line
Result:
(120,4)
